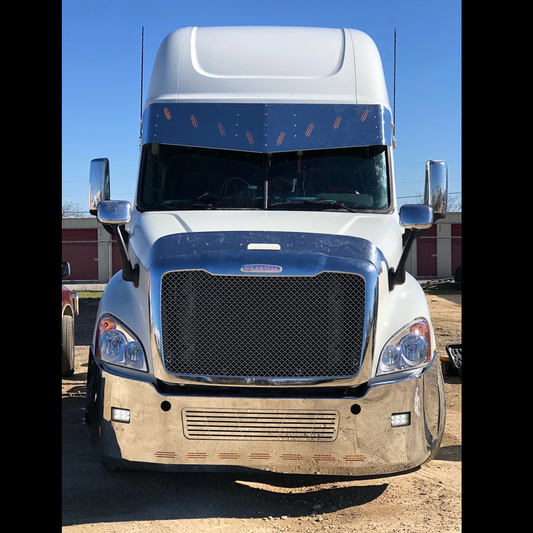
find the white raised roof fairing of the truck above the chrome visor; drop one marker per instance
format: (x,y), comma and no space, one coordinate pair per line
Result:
(268,65)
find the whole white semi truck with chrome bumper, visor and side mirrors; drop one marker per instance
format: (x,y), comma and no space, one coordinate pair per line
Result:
(263,317)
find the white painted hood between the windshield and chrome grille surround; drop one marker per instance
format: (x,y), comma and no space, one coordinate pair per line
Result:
(381,230)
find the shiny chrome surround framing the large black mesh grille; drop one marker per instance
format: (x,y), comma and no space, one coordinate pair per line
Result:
(222,254)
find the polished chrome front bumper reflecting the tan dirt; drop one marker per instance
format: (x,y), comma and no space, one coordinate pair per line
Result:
(363,443)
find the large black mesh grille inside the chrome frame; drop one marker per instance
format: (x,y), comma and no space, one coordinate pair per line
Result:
(262,326)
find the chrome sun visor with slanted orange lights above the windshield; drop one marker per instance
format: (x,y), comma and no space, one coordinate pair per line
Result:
(267,127)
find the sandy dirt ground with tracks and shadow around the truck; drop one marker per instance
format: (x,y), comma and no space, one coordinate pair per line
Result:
(425,501)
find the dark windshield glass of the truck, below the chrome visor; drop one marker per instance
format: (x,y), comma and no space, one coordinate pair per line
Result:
(179,177)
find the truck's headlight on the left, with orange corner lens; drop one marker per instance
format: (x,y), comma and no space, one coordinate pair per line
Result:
(117,345)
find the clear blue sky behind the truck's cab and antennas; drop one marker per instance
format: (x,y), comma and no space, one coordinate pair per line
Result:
(101,68)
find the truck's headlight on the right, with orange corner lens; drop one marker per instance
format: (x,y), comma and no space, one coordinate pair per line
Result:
(409,348)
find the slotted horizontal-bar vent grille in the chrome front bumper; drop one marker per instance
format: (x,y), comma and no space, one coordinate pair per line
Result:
(248,424)
